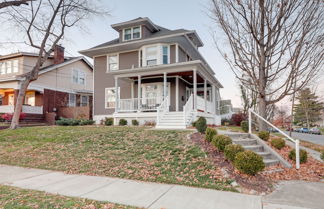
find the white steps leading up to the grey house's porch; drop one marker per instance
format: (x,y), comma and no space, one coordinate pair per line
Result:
(172,120)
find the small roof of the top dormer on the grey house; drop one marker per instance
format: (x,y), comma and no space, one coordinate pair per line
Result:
(138,21)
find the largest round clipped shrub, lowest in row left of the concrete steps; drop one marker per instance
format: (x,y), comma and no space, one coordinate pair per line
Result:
(249,162)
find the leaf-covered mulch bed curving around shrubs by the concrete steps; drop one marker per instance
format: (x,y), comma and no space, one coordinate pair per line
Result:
(263,182)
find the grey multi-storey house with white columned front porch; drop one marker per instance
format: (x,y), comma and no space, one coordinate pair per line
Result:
(150,73)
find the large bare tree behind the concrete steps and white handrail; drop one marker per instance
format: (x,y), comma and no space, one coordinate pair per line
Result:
(275,44)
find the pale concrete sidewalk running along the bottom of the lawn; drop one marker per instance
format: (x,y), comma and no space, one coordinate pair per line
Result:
(134,193)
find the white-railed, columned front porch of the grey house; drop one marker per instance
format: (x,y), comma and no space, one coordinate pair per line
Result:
(182,96)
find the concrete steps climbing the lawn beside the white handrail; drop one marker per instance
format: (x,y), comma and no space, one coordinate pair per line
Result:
(252,144)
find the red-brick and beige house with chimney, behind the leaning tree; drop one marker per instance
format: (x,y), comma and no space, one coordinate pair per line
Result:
(64,85)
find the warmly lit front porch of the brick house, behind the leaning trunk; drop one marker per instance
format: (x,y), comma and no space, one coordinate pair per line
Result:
(33,102)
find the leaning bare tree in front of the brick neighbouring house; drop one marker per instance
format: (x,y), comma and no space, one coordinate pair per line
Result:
(45,23)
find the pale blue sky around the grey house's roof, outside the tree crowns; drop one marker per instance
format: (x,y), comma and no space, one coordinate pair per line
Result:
(172,14)
